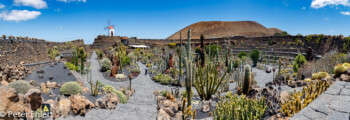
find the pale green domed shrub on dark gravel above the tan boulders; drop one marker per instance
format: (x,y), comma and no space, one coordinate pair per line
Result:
(71,88)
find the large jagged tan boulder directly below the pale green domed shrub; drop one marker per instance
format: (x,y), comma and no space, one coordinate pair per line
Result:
(80,105)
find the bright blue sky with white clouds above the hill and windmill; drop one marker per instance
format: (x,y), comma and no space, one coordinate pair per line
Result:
(63,20)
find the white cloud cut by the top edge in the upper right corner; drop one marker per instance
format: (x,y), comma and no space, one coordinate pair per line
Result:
(322,3)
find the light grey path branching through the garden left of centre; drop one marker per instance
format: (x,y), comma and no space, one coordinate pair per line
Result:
(141,106)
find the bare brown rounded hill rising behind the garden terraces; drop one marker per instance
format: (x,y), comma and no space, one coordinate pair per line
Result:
(212,29)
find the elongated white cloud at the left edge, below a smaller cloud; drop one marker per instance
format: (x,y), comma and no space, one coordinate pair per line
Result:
(19,15)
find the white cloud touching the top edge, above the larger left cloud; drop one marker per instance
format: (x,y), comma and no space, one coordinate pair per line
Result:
(38,4)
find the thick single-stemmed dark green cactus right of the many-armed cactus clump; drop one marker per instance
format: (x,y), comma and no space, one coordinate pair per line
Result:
(247,79)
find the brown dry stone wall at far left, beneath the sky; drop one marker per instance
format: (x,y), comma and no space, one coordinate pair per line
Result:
(12,52)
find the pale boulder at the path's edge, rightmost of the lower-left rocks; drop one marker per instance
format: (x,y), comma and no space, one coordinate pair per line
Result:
(109,101)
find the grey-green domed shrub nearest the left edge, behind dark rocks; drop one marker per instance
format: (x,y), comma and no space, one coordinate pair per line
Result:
(20,86)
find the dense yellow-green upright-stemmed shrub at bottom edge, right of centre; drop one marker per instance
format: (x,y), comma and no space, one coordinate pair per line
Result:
(239,108)
